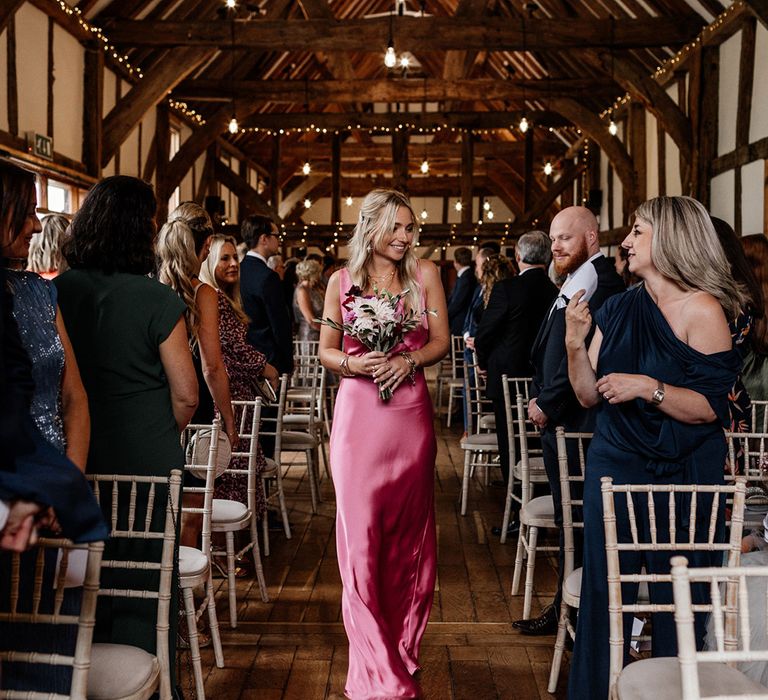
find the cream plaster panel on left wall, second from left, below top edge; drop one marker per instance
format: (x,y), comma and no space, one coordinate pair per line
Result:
(68,67)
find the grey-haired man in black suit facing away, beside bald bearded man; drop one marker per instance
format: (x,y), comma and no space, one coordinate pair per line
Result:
(509,325)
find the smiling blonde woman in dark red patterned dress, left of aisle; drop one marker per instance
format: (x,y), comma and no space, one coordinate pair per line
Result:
(221,270)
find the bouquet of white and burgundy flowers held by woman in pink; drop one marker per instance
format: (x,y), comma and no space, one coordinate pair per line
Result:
(379,322)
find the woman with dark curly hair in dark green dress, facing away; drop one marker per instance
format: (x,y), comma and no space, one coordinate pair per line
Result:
(130,341)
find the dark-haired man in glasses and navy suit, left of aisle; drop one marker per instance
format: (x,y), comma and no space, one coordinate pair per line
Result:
(262,293)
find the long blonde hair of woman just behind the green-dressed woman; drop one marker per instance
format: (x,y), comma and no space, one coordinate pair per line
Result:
(178,266)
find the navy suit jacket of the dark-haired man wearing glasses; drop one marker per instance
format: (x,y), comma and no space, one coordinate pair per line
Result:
(270,328)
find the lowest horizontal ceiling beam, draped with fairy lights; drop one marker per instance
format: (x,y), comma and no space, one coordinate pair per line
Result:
(333,121)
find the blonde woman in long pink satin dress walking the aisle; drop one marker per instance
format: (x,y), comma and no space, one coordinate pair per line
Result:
(383,455)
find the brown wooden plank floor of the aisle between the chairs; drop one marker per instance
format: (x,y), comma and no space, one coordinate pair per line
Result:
(294,647)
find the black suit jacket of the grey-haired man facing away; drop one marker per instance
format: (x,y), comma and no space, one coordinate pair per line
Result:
(509,326)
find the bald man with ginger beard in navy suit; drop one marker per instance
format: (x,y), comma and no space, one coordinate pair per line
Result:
(576,252)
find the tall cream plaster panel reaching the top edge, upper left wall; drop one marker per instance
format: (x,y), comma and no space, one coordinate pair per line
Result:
(32,69)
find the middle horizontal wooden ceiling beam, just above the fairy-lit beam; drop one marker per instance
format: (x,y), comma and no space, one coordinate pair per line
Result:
(414,90)
